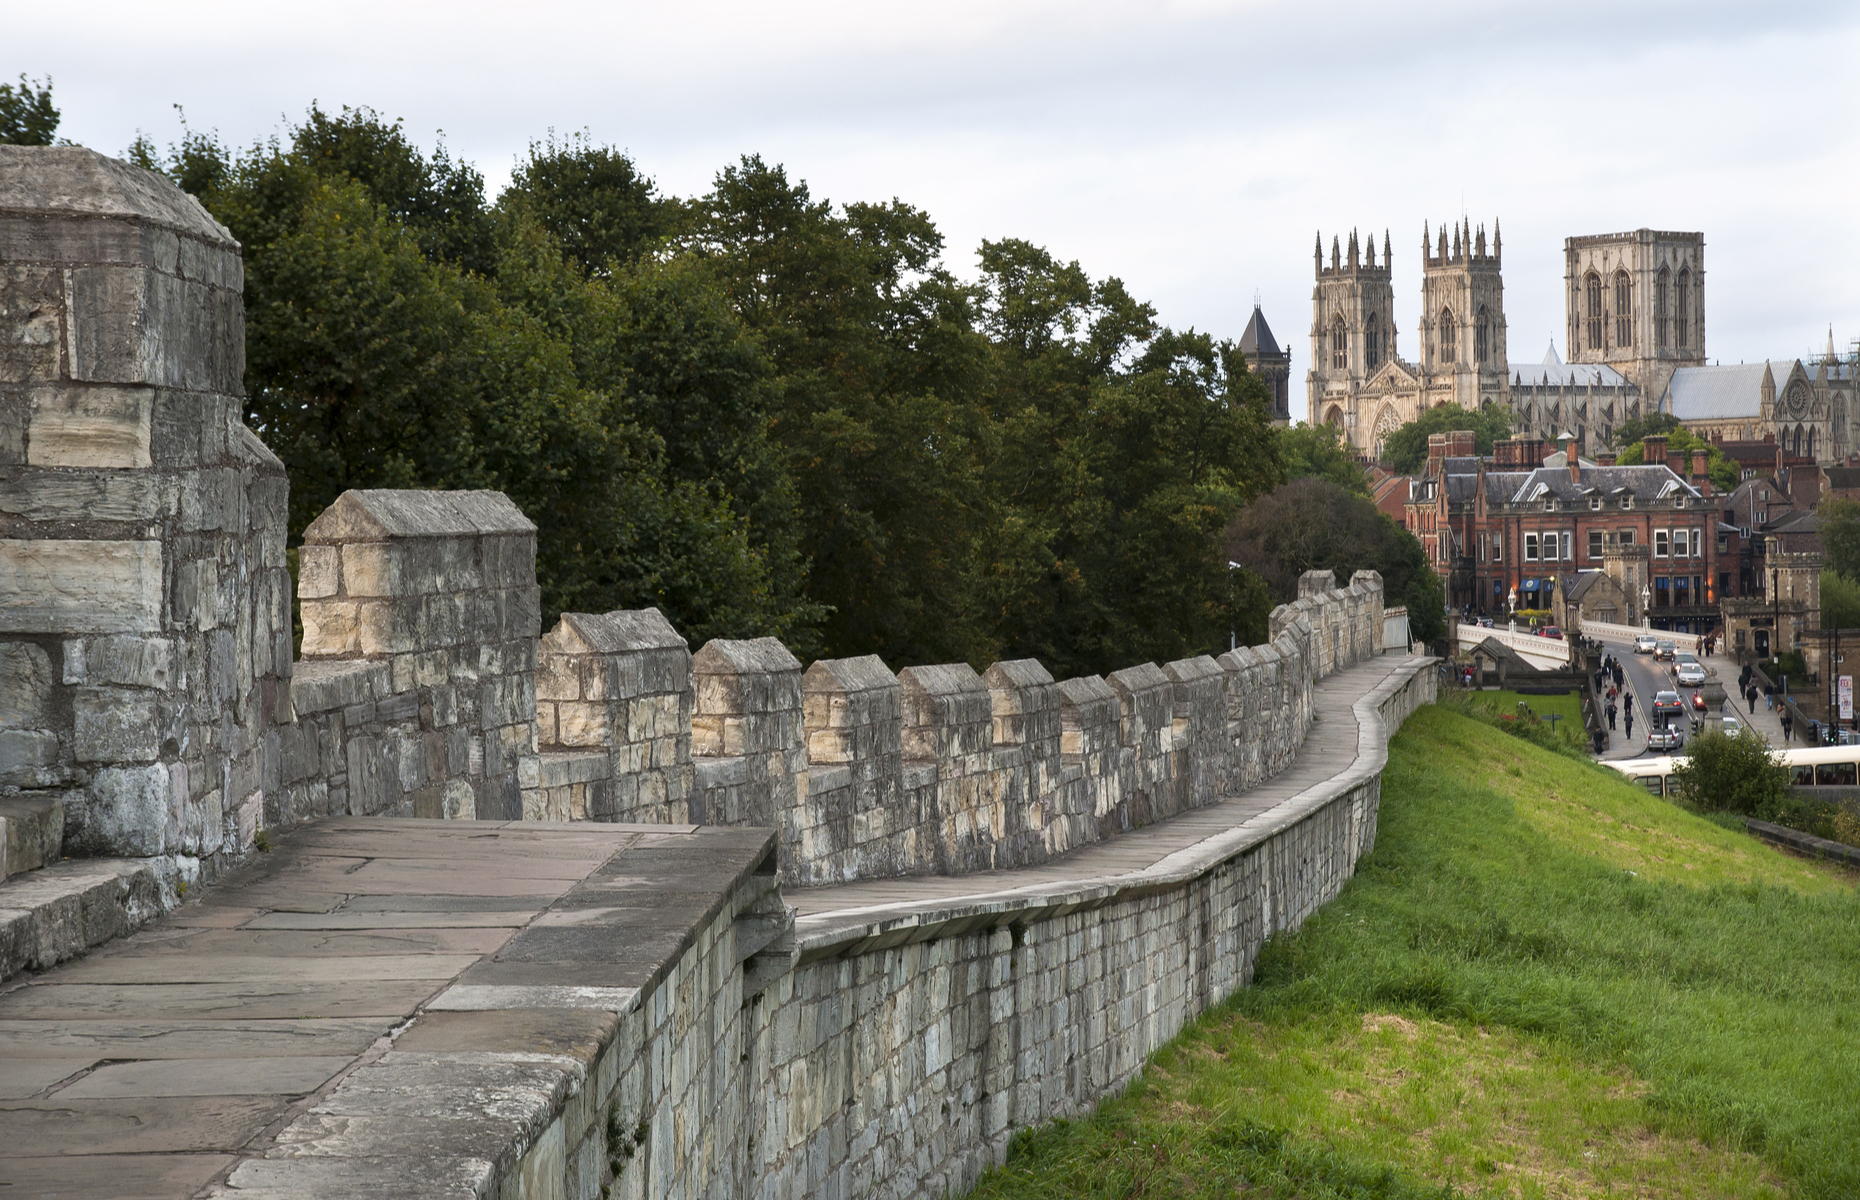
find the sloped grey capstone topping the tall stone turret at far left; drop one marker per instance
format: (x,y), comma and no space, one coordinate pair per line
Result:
(73,181)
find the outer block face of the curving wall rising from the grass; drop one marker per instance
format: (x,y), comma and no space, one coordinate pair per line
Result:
(899,1056)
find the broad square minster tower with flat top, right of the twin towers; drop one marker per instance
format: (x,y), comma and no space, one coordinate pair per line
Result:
(1638,302)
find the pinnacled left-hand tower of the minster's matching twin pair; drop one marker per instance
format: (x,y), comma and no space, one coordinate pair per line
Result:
(1353,330)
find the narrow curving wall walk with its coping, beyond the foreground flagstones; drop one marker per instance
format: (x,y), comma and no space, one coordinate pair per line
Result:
(825,929)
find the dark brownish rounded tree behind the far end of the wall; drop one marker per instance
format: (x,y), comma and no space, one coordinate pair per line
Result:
(1316,526)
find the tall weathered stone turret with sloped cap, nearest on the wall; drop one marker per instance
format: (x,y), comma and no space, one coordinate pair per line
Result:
(144,598)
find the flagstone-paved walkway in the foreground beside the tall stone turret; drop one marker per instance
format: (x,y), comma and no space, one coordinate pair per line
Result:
(375,1007)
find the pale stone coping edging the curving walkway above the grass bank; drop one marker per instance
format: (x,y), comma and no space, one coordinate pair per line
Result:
(830,933)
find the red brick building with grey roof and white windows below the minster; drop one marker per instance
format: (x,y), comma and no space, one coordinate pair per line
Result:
(1530,520)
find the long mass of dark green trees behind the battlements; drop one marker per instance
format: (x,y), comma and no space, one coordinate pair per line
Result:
(756,410)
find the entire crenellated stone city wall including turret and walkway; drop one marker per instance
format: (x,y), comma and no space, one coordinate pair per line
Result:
(455,907)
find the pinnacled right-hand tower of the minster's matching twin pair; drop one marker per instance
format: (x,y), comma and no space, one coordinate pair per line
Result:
(1463,319)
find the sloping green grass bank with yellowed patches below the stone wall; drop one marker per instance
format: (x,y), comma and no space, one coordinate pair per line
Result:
(1543,983)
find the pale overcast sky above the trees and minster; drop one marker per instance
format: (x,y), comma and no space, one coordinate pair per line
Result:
(1189,148)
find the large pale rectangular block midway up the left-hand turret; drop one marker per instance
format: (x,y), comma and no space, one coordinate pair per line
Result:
(81,587)
